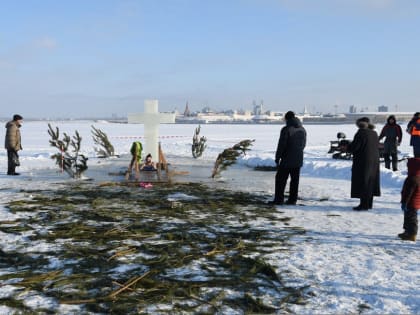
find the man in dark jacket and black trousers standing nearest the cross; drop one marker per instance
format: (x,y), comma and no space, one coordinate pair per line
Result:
(289,158)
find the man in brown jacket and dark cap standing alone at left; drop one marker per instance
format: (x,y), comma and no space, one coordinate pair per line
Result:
(13,144)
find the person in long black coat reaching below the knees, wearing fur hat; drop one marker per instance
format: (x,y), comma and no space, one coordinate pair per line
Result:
(365,179)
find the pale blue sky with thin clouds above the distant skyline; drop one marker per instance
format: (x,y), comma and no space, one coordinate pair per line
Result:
(102,57)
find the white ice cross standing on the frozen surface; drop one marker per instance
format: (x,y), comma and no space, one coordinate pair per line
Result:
(151,119)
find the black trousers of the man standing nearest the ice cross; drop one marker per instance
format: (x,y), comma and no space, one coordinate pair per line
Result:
(282,175)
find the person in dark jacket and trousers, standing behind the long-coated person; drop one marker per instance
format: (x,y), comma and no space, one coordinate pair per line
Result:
(392,133)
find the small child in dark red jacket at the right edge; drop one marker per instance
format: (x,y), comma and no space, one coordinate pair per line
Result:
(410,200)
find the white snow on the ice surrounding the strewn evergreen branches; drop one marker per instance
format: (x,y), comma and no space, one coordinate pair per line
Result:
(353,261)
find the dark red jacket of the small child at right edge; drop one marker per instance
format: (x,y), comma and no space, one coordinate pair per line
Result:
(410,194)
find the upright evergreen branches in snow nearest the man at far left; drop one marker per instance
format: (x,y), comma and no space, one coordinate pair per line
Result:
(68,159)
